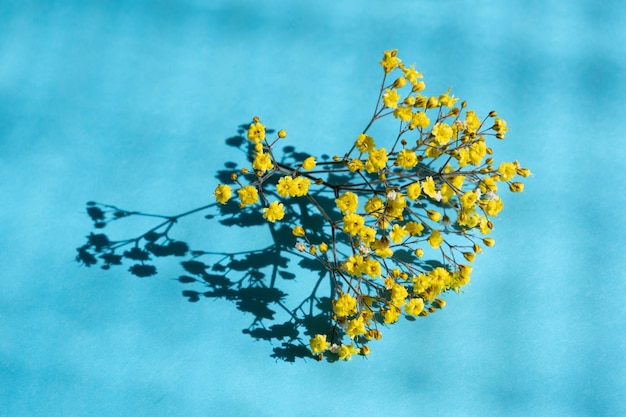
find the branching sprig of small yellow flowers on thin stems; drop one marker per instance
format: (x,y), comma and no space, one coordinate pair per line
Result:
(406,225)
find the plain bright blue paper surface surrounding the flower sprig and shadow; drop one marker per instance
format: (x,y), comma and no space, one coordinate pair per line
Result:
(129,103)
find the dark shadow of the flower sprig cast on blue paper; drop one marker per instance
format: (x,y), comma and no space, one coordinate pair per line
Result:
(285,291)
